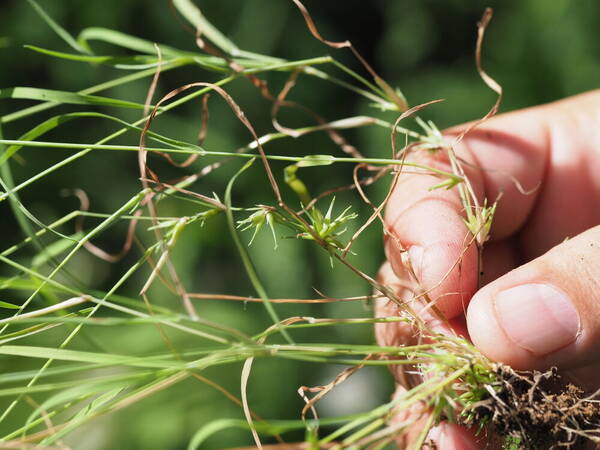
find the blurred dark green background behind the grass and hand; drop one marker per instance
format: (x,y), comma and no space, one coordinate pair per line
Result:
(538,50)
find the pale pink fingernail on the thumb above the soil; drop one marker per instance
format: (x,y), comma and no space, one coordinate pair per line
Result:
(537,317)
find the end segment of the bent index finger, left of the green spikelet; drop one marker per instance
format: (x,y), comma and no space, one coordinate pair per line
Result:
(430,225)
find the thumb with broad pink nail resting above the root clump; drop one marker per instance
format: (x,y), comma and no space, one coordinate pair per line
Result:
(544,313)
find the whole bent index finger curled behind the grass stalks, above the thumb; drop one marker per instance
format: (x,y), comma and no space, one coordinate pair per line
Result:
(506,154)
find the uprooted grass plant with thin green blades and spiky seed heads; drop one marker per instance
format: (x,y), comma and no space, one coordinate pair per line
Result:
(59,377)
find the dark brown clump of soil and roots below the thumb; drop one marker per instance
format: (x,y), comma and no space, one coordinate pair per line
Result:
(539,410)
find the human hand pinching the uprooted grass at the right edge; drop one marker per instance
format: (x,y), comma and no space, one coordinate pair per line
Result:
(540,301)
